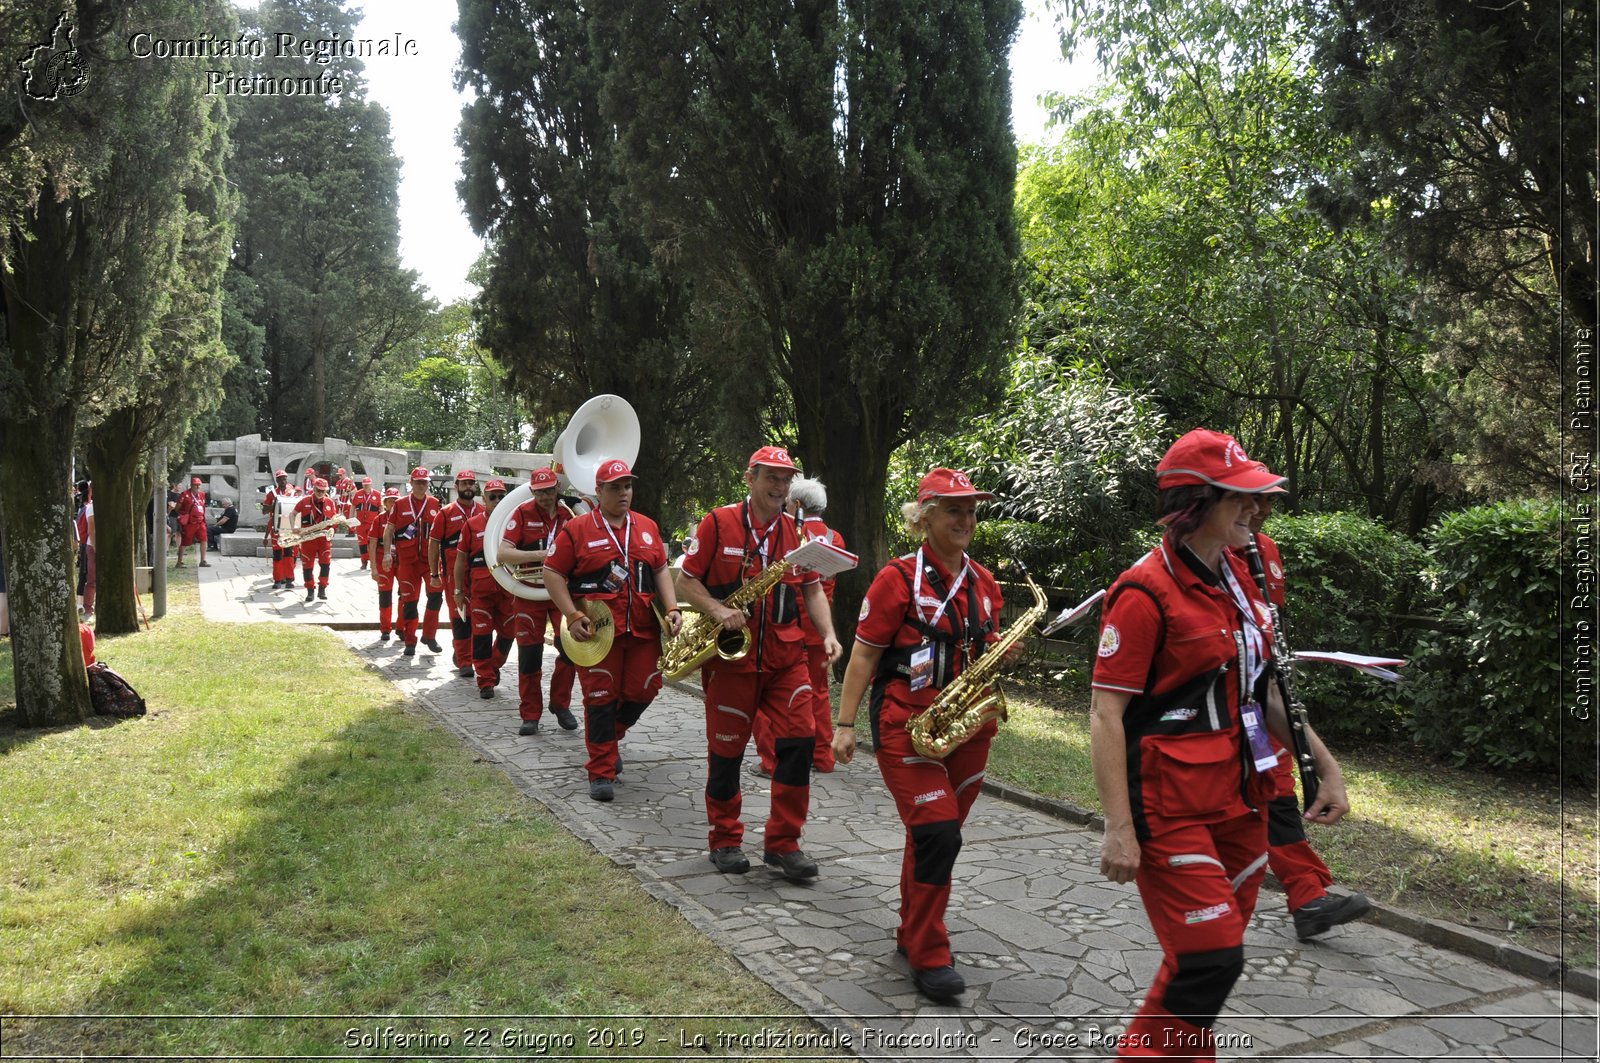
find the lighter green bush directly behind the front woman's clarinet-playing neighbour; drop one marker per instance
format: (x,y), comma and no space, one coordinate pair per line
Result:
(1348,584)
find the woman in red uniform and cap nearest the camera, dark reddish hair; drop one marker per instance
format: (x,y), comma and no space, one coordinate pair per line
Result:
(1180,740)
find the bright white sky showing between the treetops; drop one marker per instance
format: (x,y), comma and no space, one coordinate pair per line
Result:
(423,108)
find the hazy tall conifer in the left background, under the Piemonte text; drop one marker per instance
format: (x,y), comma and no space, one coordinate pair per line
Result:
(319,236)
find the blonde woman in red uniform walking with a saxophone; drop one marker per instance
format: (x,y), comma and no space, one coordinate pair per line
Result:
(927,617)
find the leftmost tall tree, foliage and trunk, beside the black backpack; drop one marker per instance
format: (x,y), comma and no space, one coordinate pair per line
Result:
(86,260)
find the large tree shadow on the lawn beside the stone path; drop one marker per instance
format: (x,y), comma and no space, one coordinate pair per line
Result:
(385,873)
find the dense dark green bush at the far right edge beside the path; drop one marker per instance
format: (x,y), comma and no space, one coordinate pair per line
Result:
(1487,691)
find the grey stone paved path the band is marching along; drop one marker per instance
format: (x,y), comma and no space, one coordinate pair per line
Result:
(1055,957)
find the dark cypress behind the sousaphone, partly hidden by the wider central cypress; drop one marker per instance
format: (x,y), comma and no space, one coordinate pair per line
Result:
(574,302)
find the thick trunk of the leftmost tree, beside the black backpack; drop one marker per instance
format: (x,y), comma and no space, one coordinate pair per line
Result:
(36,483)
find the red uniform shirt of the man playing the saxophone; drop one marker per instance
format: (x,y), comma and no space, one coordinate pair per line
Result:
(727,550)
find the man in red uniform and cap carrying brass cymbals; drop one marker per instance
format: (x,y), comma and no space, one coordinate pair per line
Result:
(617,556)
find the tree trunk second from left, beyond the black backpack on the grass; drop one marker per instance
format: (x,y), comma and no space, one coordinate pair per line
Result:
(114,465)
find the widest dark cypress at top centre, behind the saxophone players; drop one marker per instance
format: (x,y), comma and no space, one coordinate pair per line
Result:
(838,180)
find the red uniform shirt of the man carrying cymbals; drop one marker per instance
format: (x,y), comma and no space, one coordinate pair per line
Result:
(588,548)
